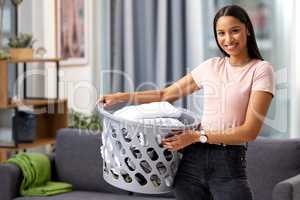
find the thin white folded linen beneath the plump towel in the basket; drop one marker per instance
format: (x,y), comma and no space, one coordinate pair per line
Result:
(162,122)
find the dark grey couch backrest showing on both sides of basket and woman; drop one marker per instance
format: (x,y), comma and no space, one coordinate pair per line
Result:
(78,161)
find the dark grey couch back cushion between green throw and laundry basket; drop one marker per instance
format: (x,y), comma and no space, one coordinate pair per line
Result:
(78,160)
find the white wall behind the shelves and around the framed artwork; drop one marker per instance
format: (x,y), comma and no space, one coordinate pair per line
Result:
(75,81)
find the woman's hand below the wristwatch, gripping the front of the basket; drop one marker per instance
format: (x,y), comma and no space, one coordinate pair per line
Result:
(179,140)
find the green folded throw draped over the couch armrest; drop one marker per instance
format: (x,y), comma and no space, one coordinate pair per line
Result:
(36,171)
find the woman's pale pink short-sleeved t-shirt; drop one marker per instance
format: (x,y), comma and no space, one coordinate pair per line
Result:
(227,89)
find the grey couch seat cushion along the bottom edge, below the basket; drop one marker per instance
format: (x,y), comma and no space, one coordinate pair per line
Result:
(79,195)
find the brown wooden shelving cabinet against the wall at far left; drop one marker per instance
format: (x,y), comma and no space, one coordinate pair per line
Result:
(52,114)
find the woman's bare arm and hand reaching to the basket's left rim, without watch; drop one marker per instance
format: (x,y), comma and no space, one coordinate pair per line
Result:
(180,88)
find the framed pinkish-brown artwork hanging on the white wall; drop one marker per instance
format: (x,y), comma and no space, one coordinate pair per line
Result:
(72,31)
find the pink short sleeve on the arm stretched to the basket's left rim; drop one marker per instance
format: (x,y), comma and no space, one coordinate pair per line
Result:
(199,72)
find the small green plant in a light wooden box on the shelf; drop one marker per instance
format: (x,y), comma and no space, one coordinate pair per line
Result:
(20,47)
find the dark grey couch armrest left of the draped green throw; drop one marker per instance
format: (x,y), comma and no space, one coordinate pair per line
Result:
(10,176)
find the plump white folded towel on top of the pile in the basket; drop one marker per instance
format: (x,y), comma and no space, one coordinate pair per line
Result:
(148,111)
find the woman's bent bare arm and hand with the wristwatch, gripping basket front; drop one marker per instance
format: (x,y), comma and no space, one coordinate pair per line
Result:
(257,109)
